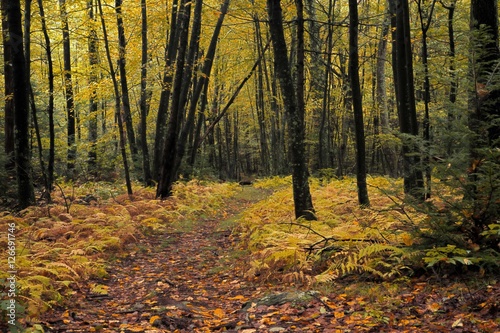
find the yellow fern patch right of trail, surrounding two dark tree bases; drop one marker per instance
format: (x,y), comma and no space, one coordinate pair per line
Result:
(345,239)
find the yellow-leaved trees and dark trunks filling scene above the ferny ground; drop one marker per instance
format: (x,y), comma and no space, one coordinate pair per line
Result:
(153,92)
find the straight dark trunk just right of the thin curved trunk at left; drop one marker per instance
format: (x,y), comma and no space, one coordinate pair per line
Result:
(68,91)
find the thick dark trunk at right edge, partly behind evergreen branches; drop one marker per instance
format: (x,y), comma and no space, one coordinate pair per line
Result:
(484,116)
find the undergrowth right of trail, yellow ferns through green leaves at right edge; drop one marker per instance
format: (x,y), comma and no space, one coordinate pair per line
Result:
(383,242)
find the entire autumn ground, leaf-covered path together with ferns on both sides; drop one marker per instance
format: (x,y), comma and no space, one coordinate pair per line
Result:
(230,258)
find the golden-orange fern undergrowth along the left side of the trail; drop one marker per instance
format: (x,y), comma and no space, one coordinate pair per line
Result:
(62,244)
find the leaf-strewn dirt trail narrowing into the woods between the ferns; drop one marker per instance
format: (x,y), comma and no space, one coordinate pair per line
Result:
(180,281)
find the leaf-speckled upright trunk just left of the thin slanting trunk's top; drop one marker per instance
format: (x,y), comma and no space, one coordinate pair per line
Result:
(93,107)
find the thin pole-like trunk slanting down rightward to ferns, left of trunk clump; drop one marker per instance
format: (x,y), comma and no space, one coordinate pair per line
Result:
(118,112)
